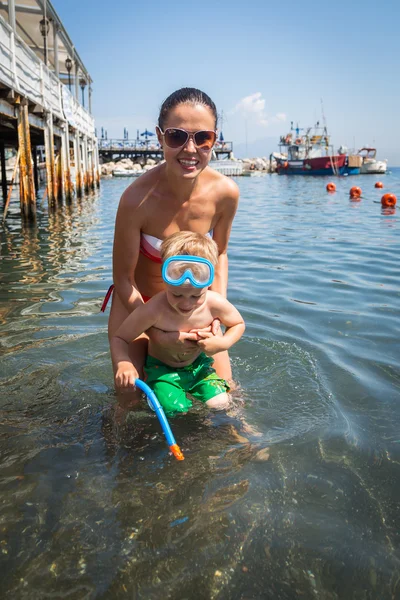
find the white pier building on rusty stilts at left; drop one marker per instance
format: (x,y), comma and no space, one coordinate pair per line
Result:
(43,85)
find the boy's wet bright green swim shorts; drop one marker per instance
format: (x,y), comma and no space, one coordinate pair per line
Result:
(171,384)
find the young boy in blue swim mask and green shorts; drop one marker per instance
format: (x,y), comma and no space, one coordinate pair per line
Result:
(186,305)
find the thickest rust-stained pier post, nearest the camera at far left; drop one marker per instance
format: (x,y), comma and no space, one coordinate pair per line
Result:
(27,184)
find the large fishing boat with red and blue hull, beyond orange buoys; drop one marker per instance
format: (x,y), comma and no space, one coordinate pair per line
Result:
(310,153)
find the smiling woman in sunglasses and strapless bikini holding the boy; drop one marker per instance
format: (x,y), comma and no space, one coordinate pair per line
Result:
(182,193)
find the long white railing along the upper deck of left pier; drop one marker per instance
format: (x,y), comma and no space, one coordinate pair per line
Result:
(22,71)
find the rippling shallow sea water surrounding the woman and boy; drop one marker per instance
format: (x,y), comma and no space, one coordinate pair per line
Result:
(92,510)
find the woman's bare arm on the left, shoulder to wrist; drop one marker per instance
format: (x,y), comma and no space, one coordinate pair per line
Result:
(126,249)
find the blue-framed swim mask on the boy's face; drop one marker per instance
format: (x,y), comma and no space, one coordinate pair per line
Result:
(181,269)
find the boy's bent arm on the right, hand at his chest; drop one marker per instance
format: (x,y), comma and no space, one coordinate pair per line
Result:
(231,318)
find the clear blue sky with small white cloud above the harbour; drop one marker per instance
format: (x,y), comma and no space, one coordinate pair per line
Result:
(264,64)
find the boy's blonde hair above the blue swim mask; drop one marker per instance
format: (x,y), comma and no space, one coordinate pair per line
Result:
(187,242)
